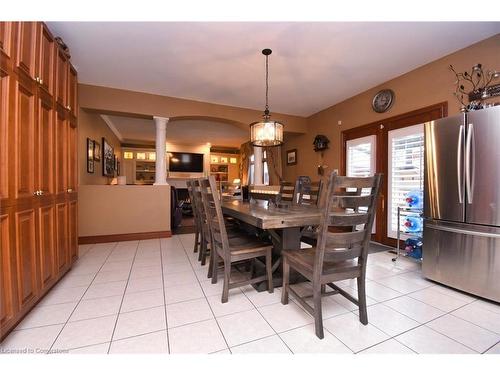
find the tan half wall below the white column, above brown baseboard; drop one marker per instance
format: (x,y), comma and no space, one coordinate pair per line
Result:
(121,209)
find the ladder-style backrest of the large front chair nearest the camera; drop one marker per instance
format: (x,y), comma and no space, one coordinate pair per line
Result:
(345,206)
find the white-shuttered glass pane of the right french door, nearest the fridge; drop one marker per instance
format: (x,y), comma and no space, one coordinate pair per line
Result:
(406,170)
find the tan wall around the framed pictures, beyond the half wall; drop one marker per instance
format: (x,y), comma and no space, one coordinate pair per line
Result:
(91,125)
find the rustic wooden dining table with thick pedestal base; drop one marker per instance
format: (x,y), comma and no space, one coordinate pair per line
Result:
(284,224)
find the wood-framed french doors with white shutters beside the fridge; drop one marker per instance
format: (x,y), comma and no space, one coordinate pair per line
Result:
(393,147)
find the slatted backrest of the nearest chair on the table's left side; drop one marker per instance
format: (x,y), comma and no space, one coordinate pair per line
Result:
(215,218)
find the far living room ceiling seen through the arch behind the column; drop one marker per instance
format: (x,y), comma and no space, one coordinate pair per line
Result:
(188,132)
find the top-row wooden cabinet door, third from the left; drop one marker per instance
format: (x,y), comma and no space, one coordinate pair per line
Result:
(46,55)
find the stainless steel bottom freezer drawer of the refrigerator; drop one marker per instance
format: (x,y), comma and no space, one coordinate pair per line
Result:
(463,256)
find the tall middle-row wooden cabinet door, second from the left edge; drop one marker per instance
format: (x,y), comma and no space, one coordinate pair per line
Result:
(24,140)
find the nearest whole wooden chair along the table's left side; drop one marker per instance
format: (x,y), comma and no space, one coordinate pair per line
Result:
(232,249)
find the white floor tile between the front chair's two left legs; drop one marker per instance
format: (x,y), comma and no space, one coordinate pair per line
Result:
(284,317)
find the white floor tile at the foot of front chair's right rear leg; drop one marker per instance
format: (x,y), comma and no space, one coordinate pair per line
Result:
(348,329)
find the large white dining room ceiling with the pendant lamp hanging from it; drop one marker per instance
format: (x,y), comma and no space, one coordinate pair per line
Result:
(313,65)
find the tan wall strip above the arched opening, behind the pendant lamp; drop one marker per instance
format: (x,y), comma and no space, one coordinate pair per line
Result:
(110,100)
